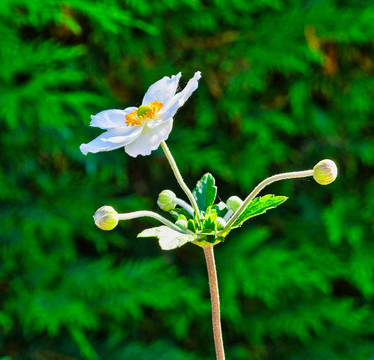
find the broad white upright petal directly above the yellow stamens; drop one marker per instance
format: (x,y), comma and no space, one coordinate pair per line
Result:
(162,90)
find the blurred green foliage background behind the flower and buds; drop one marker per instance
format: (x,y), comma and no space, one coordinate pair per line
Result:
(285,84)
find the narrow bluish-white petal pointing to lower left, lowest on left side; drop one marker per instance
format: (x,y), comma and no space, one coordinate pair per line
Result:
(112,139)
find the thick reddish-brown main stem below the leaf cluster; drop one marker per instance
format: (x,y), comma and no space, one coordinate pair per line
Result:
(214,295)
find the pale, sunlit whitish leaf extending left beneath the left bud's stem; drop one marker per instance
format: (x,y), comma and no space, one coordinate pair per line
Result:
(168,239)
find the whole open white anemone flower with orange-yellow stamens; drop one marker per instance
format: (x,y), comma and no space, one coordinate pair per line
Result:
(141,130)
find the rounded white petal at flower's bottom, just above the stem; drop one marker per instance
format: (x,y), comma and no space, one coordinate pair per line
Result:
(149,139)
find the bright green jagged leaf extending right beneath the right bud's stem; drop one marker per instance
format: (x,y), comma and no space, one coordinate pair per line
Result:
(258,206)
